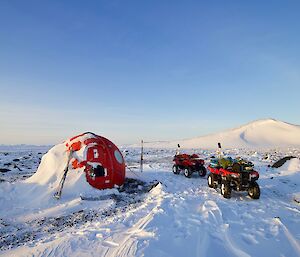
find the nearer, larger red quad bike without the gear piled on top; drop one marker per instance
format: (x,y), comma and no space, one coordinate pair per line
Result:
(235,178)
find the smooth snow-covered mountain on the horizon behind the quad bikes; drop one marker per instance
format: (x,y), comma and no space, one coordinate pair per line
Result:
(260,133)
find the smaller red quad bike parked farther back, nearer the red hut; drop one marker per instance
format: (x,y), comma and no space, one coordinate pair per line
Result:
(189,164)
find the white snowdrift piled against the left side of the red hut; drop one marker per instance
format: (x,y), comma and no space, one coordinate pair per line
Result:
(37,192)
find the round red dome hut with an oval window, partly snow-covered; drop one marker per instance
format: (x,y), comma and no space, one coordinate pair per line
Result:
(102,161)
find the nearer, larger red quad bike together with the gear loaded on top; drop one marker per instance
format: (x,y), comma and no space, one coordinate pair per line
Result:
(235,175)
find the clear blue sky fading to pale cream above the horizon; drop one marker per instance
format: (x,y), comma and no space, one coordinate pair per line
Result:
(157,70)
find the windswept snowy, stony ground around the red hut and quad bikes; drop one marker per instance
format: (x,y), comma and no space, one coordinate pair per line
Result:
(180,217)
